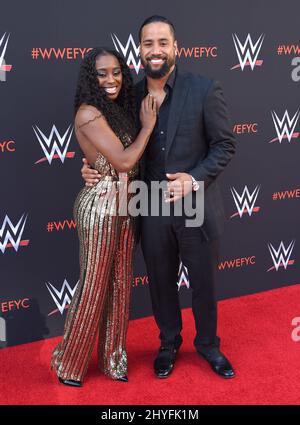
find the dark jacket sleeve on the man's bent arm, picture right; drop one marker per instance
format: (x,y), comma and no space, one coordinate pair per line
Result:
(221,141)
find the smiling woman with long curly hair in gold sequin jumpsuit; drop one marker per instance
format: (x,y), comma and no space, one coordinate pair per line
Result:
(106,133)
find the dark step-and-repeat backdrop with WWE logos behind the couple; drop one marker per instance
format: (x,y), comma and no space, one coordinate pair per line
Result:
(252,47)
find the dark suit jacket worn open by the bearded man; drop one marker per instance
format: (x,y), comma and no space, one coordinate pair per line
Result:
(200,140)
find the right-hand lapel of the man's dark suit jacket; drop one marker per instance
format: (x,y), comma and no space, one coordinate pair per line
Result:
(179,96)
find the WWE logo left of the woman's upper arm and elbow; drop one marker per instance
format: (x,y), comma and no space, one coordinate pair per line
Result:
(54,146)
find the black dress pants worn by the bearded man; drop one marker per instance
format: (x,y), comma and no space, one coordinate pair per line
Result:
(165,241)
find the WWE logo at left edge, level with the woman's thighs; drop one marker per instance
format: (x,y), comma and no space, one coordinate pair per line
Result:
(10,235)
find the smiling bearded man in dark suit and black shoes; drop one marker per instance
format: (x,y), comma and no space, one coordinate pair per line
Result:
(191,142)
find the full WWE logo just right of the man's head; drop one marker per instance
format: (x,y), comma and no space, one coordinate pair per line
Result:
(248,52)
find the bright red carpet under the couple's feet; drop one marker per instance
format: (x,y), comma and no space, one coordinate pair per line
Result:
(256,336)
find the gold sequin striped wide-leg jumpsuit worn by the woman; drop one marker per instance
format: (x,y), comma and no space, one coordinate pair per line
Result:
(100,305)
